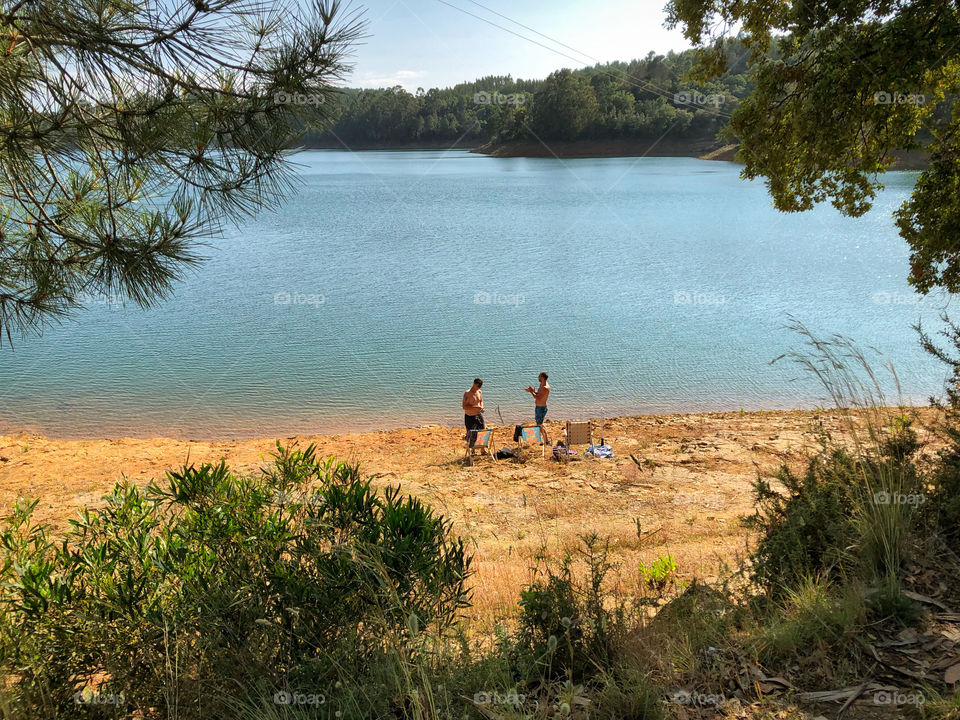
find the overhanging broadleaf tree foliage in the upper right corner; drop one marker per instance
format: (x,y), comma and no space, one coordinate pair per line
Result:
(840,86)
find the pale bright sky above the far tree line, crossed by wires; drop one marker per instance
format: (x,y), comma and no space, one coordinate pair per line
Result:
(432,43)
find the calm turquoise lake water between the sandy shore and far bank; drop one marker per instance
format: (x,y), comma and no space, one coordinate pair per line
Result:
(390,279)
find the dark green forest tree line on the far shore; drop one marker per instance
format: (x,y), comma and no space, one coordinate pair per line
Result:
(641,99)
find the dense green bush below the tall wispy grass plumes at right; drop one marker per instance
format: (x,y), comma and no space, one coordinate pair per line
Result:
(843,517)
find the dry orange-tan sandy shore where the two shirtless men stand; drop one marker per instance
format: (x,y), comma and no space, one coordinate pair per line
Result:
(685,497)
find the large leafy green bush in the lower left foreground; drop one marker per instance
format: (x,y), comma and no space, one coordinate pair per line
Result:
(178,596)
